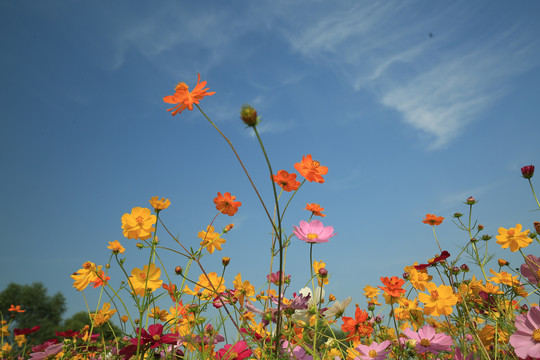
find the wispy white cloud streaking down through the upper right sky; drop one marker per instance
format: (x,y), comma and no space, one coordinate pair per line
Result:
(438,82)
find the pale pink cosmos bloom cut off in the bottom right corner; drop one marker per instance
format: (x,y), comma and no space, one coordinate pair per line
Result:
(526,339)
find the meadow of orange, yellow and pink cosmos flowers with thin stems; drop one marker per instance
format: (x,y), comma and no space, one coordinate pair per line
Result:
(468,304)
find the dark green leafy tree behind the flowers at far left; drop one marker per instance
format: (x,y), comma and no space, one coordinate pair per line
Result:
(41,309)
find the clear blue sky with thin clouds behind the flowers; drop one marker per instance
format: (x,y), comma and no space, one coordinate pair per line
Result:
(408,123)
